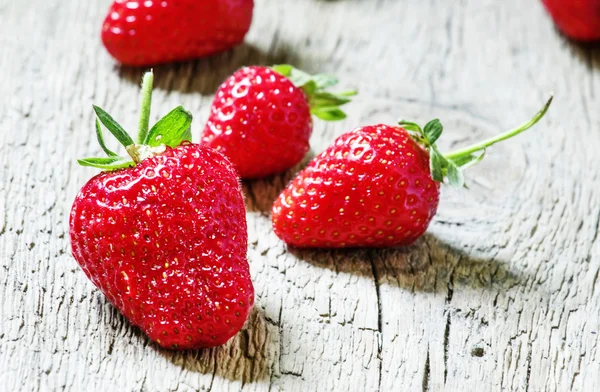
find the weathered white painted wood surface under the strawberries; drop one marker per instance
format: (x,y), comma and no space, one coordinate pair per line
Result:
(501,294)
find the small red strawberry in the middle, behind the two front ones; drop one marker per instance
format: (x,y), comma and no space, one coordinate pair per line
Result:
(261,117)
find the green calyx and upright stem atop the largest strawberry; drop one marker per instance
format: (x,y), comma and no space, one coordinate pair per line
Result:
(169,131)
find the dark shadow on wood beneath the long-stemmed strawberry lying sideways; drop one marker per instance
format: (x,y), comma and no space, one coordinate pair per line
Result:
(429,266)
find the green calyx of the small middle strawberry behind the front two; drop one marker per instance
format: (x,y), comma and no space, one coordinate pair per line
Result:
(323,104)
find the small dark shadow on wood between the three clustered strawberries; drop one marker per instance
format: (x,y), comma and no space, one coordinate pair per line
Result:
(260,194)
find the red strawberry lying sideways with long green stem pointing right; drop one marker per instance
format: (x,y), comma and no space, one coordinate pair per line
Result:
(375,186)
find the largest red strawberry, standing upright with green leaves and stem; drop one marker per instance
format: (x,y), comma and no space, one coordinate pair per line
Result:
(163,234)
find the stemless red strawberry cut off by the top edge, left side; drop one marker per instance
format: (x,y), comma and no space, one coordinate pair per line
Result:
(143,32)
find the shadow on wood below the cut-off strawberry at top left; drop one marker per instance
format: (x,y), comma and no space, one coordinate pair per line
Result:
(205,75)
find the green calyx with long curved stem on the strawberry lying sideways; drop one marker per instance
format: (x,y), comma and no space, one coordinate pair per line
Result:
(452,165)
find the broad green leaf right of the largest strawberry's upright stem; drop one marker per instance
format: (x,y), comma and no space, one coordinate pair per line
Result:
(171,130)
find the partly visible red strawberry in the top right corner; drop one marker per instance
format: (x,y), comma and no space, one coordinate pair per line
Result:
(577,19)
